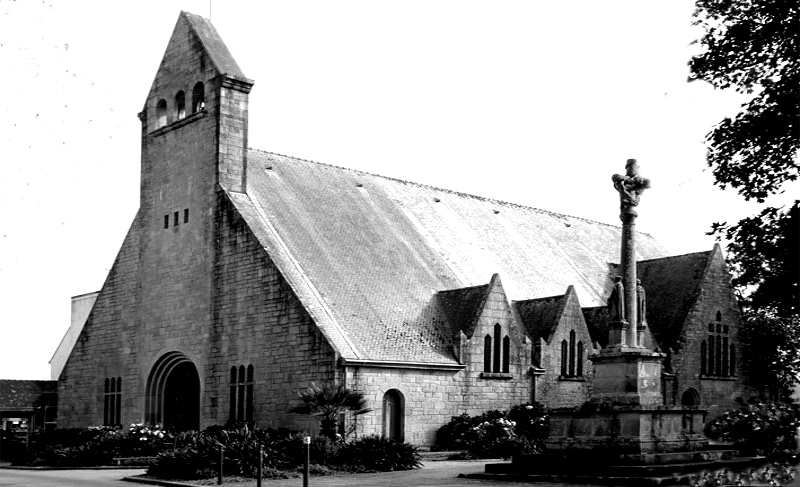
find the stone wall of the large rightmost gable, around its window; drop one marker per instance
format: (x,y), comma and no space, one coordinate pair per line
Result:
(717,394)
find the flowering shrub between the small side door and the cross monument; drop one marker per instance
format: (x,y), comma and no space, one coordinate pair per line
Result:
(496,433)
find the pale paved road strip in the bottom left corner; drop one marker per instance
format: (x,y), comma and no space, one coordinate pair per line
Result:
(65,478)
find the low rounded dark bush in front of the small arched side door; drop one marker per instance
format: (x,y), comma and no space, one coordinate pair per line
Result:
(378,454)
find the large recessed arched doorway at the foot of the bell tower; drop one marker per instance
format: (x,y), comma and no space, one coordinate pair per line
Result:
(173,393)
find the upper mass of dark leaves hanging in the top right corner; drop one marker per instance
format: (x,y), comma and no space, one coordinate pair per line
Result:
(752,46)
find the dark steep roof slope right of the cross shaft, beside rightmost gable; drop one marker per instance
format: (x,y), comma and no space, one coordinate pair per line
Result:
(672,285)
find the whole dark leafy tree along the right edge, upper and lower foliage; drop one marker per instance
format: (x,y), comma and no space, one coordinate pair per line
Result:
(753,47)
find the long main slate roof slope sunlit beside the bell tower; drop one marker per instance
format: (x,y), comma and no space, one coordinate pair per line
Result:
(366,254)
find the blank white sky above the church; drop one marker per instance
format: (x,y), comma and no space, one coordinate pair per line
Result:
(532,102)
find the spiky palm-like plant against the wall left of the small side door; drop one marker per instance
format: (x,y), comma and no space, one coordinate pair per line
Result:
(328,402)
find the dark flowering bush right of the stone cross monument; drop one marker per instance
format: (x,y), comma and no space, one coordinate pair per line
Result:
(758,428)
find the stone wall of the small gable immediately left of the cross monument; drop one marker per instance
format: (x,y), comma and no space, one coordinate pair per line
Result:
(555,391)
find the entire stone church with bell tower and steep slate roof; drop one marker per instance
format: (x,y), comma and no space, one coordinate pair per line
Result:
(247,275)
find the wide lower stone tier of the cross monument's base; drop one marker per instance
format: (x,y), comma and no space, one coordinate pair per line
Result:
(628,433)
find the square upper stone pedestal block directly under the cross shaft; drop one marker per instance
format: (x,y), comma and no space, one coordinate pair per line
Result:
(626,376)
